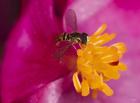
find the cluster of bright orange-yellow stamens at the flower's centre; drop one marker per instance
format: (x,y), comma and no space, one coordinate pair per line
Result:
(97,64)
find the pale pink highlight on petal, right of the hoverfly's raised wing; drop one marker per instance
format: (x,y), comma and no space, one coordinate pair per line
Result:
(86,8)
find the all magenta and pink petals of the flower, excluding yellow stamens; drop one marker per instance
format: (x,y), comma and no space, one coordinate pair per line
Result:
(29,66)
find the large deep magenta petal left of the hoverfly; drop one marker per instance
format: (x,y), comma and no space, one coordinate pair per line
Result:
(29,59)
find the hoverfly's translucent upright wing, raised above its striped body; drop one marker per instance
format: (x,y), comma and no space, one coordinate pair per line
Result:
(70,21)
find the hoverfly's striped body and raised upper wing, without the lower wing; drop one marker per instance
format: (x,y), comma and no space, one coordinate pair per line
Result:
(70,22)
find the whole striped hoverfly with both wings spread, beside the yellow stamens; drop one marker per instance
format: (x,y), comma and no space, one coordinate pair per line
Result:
(73,37)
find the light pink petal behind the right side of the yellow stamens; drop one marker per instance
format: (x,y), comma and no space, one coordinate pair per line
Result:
(124,22)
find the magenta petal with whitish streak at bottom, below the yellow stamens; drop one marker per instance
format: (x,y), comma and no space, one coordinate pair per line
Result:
(53,93)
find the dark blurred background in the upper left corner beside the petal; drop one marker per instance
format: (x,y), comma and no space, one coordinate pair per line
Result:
(9,13)
